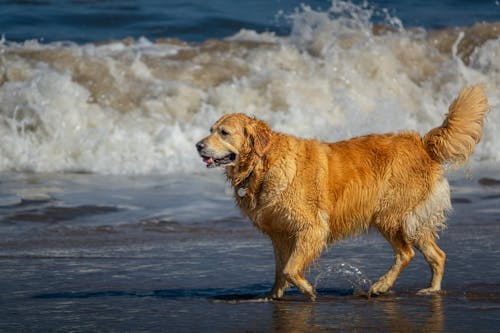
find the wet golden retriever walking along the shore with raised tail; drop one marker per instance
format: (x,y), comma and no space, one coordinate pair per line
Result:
(305,194)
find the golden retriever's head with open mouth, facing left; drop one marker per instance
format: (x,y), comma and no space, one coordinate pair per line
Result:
(233,138)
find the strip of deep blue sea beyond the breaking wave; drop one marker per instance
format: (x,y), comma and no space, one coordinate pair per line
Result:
(198,20)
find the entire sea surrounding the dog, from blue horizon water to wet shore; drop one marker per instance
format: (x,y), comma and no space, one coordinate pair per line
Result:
(109,220)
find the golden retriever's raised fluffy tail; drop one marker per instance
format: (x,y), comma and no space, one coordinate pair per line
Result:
(453,142)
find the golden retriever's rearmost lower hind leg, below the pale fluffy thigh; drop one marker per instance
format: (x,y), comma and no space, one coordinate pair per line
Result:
(436,258)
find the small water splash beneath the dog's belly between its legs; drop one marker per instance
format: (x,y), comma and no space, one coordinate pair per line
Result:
(358,281)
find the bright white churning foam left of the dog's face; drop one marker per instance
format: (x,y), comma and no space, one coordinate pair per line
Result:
(53,127)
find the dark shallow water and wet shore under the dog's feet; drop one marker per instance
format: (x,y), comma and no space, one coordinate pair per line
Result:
(82,252)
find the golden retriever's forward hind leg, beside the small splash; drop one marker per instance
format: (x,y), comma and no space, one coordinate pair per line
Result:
(403,253)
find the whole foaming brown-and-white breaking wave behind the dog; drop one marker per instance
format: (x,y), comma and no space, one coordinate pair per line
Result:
(332,79)
